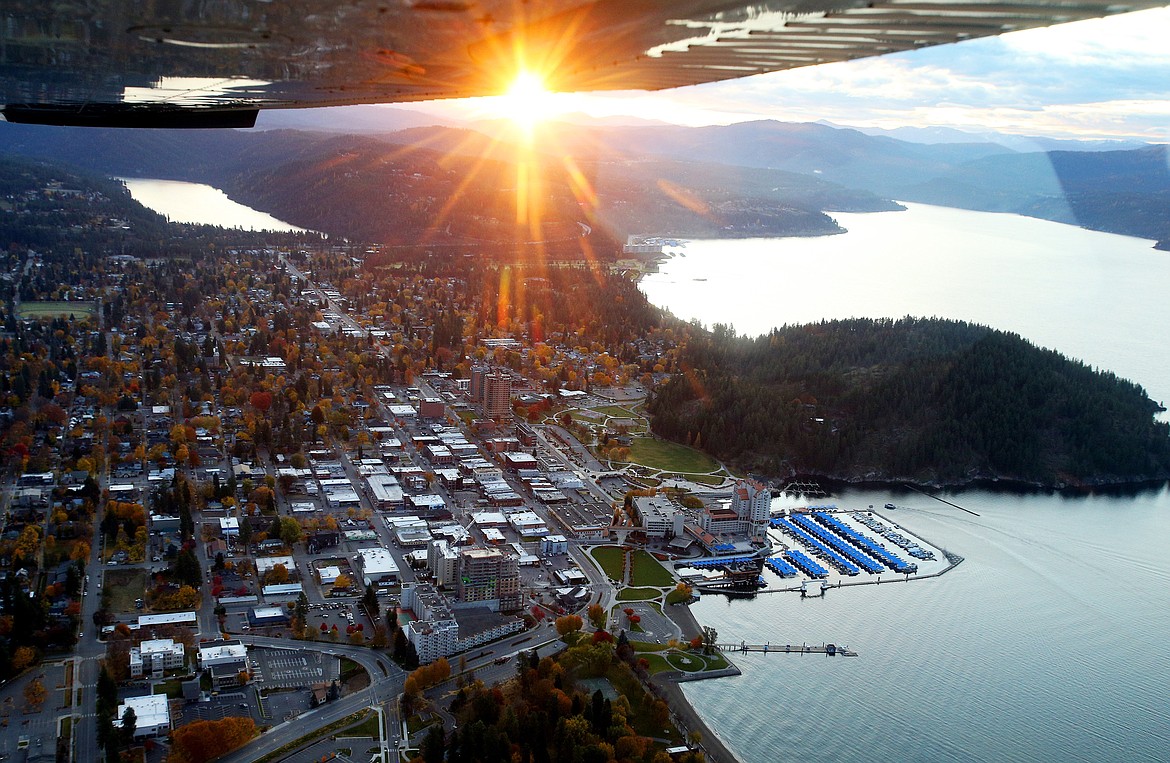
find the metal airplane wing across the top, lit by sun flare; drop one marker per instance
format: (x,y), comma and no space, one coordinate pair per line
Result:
(189,64)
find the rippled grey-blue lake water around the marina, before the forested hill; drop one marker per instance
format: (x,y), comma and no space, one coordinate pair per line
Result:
(1048,644)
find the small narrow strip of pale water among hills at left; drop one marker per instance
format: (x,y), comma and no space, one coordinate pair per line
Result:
(182,202)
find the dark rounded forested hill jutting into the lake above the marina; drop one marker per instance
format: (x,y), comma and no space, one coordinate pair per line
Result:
(924,401)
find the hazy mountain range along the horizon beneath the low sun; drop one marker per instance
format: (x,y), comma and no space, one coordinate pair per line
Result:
(755,178)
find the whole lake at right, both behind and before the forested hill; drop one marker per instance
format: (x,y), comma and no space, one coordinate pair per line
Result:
(1049,644)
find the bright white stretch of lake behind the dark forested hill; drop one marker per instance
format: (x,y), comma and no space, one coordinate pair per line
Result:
(1093,297)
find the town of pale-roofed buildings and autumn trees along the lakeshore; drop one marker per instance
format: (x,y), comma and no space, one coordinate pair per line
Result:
(318,490)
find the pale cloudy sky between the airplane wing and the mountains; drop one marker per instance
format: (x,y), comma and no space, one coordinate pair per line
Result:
(1106,79)
